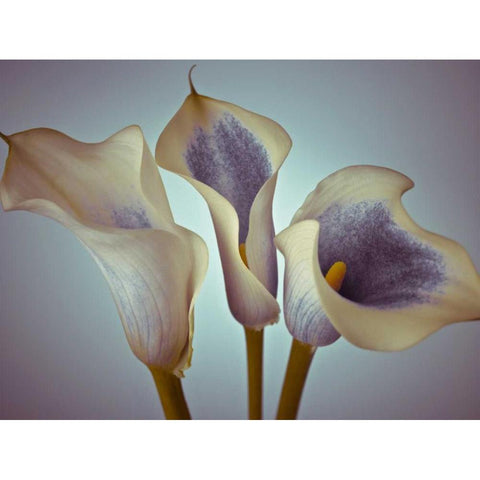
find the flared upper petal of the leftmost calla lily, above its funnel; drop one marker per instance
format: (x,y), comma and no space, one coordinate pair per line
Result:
(114,183)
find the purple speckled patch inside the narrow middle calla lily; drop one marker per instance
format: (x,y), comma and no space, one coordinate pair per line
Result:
(233,162)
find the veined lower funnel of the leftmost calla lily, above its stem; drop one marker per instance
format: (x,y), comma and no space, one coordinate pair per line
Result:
(154,276)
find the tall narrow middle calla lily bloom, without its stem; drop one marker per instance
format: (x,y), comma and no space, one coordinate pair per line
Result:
(232,156)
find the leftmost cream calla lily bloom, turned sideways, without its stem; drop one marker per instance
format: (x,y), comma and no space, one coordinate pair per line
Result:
(111,196)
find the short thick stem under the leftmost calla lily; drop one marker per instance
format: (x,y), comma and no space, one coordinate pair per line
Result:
(171,394)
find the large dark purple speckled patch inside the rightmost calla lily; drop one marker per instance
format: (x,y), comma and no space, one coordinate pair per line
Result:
(386,266)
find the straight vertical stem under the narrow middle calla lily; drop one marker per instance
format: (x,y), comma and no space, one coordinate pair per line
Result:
(254,340)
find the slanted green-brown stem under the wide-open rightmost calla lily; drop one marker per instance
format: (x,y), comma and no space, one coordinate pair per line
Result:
(299,362)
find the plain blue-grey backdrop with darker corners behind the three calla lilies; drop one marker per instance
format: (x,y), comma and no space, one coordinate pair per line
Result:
(63,353)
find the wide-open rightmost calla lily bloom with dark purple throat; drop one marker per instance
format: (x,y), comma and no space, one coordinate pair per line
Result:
(402,283)
